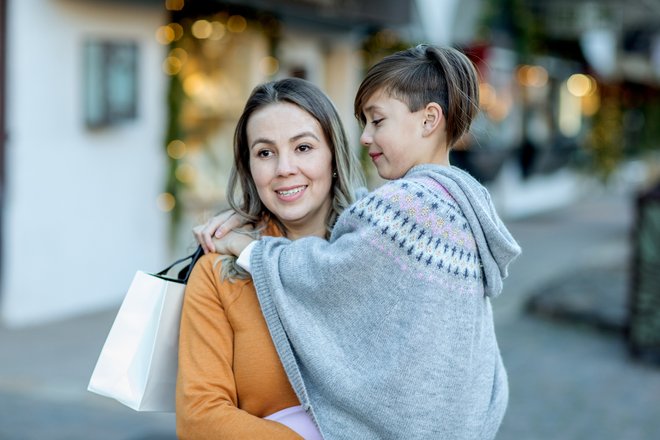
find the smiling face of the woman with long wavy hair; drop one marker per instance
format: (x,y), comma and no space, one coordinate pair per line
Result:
(291,165)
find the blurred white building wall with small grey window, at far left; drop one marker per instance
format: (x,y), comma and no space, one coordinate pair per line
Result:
(83,163)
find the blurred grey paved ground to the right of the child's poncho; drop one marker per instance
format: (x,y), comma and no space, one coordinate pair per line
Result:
(570,373)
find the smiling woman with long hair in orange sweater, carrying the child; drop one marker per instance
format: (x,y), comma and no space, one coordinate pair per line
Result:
(297,174)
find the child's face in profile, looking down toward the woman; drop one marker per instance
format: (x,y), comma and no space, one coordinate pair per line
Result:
(393,135)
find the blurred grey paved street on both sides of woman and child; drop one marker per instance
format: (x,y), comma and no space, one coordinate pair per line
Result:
(569,379)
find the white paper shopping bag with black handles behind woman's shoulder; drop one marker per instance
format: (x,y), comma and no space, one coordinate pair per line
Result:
(138,363)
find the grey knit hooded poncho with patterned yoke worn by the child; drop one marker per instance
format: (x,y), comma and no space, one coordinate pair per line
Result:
(386,330)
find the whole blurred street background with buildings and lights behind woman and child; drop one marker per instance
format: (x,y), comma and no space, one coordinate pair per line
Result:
(116,123)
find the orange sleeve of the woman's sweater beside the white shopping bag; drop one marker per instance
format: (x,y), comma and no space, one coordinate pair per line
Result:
(206,397)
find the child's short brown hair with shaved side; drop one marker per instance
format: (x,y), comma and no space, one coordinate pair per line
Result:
(424,74)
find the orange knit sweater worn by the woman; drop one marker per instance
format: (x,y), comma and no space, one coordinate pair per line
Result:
(229,373)
